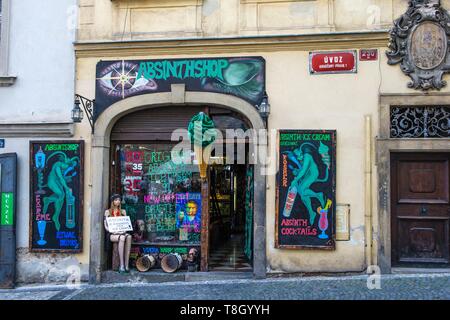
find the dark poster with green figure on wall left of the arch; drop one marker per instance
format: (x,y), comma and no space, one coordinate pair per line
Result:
(56,177)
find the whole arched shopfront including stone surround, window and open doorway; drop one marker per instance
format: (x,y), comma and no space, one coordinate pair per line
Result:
(132,140)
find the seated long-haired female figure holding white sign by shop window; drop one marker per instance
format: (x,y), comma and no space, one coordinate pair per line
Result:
(123,239)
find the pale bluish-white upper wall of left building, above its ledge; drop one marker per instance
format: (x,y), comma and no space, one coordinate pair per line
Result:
(41,56)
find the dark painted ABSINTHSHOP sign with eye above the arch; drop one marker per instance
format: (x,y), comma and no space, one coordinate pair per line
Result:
(243,77)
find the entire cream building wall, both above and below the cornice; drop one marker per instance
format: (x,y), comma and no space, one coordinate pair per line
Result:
(299,100)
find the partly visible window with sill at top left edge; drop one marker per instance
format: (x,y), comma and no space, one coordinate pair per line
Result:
(5,78)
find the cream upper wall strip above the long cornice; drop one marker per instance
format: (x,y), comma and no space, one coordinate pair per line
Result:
(117,20)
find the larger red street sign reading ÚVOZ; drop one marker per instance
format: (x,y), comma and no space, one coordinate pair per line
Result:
(332,62)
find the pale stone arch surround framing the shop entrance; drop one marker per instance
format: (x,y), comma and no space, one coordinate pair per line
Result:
(100,152)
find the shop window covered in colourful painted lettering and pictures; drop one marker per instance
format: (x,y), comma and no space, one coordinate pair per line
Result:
(162,198)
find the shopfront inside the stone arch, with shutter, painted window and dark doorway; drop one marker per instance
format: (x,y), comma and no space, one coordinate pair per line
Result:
(158,193)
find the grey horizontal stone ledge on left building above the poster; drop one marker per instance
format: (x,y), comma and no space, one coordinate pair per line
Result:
(37,129)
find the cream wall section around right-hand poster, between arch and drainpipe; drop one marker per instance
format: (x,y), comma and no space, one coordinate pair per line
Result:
(336,102)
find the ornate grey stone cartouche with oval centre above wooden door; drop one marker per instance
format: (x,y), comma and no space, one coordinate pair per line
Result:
(420,42)
